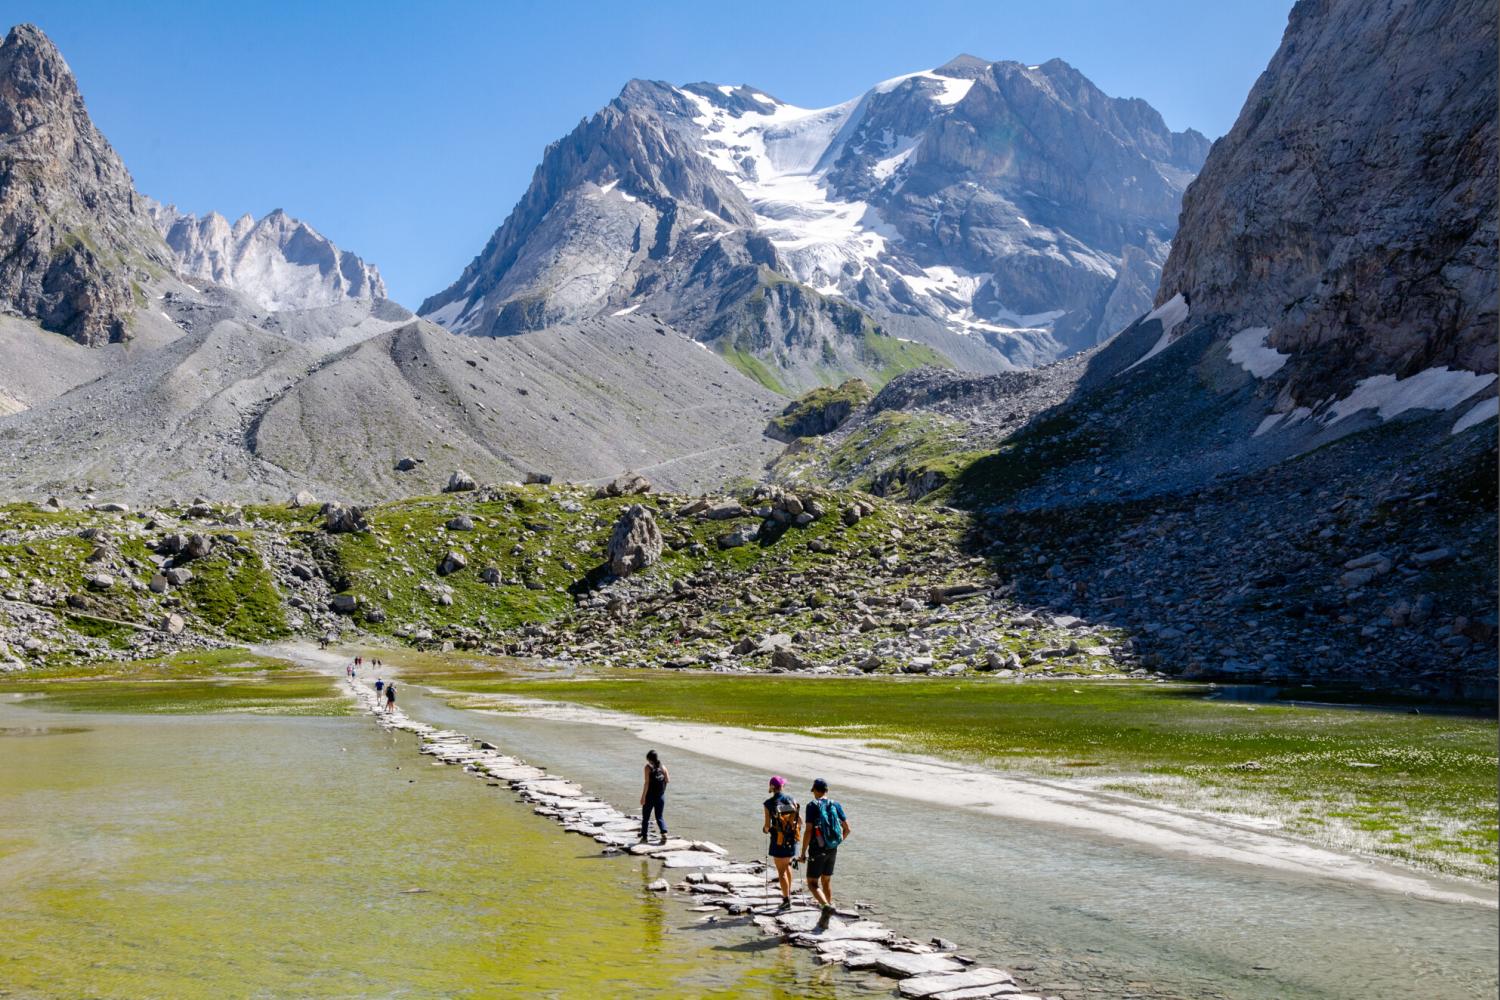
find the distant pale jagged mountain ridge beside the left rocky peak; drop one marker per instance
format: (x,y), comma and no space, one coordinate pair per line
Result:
(278,262)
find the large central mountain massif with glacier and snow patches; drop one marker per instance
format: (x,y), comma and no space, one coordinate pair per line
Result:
(1004,215)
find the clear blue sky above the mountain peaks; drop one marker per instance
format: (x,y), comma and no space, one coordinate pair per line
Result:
(407,133)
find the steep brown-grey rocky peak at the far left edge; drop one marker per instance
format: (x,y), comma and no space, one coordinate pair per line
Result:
(76,238)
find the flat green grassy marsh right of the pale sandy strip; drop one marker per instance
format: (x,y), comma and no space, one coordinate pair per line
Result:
(1412,788)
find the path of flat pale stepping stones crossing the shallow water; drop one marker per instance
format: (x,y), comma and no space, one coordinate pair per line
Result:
(925,971)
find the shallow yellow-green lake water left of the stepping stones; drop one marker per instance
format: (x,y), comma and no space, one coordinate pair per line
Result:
(236,857)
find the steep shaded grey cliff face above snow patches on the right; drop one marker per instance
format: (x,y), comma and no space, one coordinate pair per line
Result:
(1352,208)
